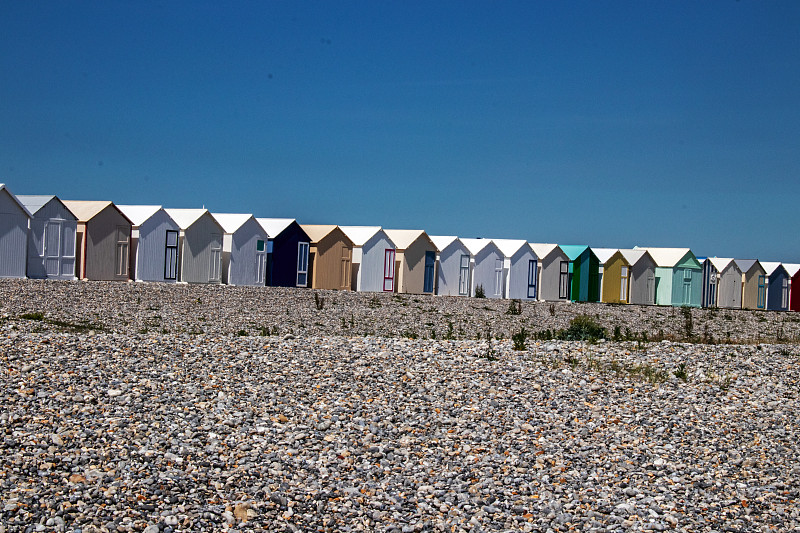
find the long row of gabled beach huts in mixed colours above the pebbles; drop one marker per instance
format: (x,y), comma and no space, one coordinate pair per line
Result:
(44,237)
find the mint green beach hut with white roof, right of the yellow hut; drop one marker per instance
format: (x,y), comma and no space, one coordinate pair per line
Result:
(679,276)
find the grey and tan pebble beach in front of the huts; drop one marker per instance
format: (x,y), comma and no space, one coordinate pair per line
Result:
(113,420)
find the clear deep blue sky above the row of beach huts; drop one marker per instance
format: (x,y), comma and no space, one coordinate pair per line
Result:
(661,123)
